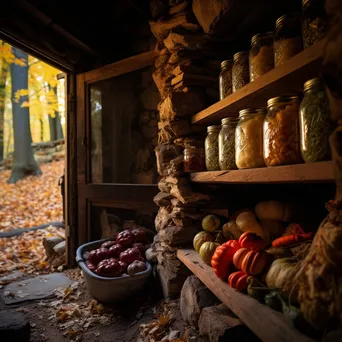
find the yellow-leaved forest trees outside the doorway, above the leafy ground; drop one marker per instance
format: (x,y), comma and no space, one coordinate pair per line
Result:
(32,108)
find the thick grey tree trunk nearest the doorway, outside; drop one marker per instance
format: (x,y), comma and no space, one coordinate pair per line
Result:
(23,161)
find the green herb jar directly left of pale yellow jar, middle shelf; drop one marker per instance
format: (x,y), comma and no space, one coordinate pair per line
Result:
(227,144)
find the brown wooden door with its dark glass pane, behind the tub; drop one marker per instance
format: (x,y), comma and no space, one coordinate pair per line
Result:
(102,142)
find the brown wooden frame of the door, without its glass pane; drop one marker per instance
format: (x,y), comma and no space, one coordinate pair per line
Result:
(123,195)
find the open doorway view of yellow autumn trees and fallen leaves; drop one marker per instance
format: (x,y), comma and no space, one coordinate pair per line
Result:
(32,154)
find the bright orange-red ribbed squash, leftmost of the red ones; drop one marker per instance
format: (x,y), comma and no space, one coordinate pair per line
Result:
(222,260)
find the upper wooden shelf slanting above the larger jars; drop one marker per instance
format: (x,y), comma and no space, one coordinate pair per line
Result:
(285,79)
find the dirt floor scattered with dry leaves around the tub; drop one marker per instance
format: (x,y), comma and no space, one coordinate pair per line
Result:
(73,315)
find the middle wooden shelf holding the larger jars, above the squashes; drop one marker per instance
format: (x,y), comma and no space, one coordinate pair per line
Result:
(300,173)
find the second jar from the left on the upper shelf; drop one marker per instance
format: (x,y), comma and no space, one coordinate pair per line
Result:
(240,70)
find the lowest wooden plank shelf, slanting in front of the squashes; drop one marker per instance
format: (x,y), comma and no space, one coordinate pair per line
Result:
(267,324)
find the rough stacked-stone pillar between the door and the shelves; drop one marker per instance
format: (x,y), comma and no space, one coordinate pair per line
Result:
(184,75)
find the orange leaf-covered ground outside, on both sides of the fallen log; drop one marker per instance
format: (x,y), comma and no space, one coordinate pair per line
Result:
(30,202)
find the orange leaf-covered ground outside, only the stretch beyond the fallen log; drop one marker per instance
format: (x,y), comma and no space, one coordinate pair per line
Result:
(33,200)
